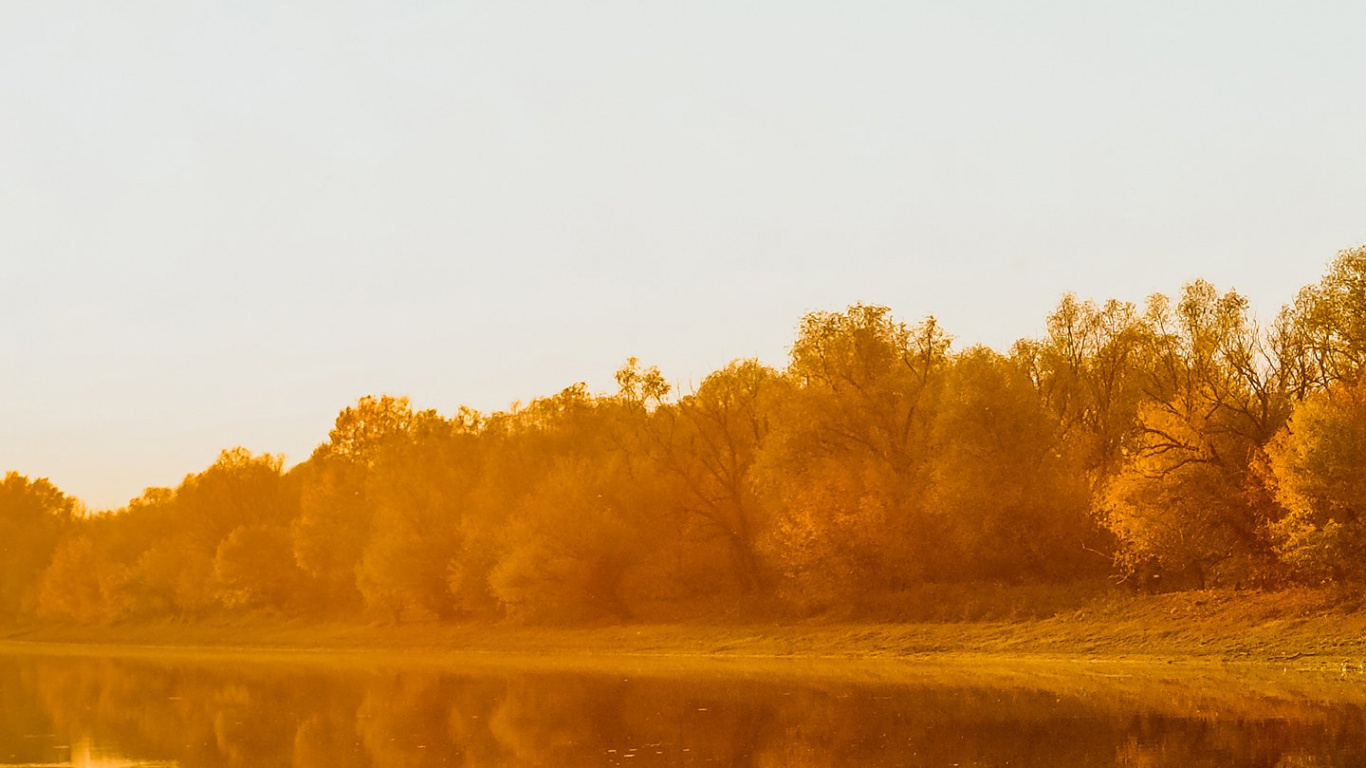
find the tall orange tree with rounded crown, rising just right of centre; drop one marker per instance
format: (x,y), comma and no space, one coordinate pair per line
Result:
(848,468)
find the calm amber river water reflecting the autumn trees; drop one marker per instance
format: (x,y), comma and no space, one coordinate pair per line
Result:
(118,713)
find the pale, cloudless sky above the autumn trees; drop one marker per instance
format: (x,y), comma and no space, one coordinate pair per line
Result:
(221,223)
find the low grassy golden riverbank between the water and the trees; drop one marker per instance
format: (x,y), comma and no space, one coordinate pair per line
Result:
(1307,629)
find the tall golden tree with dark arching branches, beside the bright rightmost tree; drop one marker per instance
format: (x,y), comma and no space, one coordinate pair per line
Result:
(1188,499)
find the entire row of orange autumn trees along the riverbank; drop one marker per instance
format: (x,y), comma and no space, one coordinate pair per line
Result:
(1178,445)
